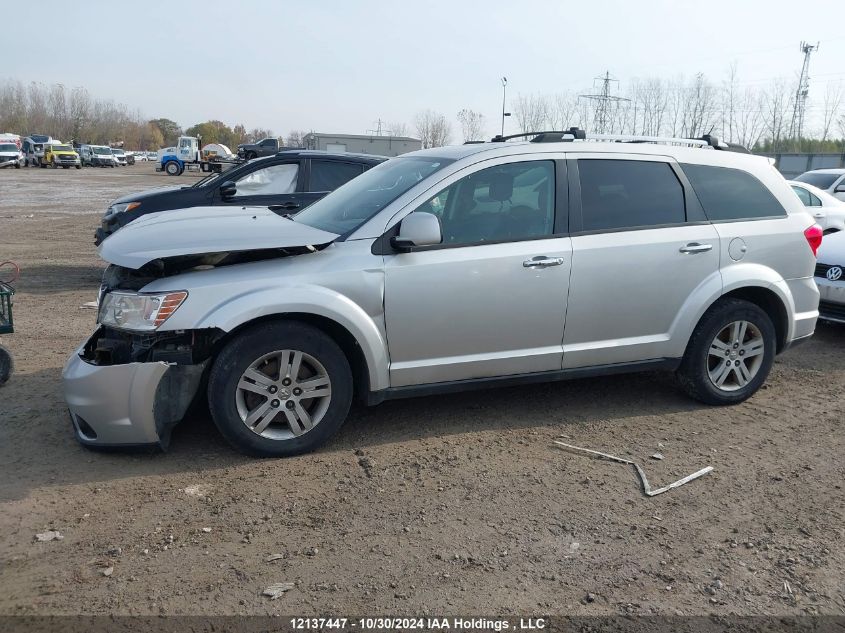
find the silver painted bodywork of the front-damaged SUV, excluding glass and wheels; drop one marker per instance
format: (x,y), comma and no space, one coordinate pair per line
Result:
(448,314)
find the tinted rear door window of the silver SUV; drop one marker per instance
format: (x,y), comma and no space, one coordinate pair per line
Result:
(627,194)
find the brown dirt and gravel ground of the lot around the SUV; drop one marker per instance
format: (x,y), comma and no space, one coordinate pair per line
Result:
(449,505)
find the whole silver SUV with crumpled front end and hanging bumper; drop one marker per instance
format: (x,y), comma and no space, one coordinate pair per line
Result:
(450,269)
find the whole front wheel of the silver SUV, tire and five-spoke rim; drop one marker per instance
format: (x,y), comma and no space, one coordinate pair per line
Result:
(280,389)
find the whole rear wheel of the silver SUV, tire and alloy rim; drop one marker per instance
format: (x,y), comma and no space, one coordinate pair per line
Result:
(730,354)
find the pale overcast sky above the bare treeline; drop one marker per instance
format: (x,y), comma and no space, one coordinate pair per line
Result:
(333,66)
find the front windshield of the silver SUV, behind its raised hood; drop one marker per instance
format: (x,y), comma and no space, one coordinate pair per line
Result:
(347,208)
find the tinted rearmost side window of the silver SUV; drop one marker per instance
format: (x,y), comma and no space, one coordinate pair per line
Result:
(731,194)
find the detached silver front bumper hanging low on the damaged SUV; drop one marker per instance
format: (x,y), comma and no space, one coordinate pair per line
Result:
(116,403)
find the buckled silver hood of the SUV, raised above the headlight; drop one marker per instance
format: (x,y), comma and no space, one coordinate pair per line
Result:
(205,230)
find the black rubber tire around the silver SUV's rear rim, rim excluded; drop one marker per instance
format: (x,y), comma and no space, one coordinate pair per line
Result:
(694,372)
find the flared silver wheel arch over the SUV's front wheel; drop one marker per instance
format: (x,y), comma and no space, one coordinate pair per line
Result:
(308,299)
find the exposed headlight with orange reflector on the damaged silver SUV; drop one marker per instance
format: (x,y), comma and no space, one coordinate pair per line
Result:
(139,312)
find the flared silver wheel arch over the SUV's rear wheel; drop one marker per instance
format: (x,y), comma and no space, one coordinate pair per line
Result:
(718,284)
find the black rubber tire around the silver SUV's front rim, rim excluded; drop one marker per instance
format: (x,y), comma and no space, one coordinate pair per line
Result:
(251,345)
